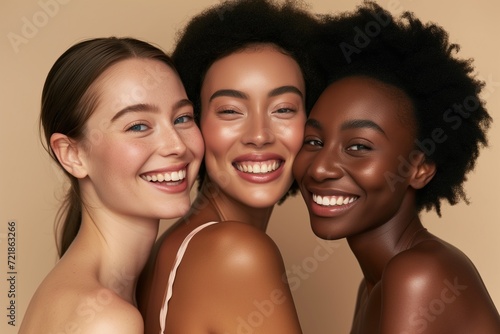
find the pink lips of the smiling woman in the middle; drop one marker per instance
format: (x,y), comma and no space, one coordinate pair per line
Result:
(258,159)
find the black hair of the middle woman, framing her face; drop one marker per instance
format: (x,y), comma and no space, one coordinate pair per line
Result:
(232,26)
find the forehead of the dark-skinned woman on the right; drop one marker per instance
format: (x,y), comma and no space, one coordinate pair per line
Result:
(364,97)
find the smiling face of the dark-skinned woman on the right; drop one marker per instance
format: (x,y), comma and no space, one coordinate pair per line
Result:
(353,169)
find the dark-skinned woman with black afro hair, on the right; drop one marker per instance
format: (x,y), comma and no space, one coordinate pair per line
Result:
(396,131)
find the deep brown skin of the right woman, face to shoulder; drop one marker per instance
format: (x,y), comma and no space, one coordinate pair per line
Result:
(413,281)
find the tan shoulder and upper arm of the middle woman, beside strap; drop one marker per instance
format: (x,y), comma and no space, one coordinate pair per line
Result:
(230,280)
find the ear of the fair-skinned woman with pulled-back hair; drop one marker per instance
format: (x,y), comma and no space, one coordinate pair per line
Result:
(68,153)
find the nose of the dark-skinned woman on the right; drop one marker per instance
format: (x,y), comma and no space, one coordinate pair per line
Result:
(326,165)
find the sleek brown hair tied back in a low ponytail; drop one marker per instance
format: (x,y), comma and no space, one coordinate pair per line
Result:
(69,99)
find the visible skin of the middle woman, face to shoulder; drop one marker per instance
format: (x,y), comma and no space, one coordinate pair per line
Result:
(231,269)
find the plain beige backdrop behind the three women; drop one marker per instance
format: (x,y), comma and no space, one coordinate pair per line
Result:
(323,275)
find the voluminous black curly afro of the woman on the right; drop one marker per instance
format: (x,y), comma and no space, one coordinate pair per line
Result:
(418,59)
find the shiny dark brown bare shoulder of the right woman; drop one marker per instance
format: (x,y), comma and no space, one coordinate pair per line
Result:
(435,287)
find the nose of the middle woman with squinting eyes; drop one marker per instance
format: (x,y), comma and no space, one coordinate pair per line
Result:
(258,130)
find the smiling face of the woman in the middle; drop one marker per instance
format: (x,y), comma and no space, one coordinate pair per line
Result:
(252,121)
